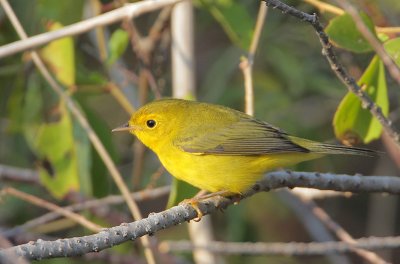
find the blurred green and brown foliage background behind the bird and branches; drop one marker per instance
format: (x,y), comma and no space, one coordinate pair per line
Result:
(104,69)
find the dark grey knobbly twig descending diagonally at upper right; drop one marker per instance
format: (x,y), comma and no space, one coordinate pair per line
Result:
(339,70)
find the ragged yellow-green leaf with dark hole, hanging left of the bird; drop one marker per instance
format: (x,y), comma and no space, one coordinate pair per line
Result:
(54,145)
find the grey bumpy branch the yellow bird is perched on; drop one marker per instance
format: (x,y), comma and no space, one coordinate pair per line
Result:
(176,215)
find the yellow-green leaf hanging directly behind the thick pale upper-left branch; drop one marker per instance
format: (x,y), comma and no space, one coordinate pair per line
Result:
(60,56)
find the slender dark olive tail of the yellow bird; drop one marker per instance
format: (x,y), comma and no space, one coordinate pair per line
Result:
(325,148)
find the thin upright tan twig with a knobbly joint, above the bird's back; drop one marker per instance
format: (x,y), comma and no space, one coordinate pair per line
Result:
(246,64)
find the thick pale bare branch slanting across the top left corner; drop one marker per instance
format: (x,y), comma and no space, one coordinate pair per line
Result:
(129,11)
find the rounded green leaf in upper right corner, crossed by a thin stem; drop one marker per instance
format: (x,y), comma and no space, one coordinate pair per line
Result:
(343,33)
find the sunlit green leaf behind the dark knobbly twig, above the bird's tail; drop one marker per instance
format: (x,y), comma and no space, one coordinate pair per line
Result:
(354,124)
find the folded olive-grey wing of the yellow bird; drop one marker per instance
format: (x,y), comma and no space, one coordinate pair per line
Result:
(245,137)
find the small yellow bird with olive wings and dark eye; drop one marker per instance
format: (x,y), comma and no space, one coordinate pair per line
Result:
(218,149)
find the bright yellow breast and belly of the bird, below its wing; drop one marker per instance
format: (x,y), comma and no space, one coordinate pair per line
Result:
(215,173)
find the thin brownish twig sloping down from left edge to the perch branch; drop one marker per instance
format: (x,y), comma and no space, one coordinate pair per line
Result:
(52,207)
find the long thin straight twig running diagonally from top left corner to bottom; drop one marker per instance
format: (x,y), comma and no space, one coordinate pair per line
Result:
(82,120)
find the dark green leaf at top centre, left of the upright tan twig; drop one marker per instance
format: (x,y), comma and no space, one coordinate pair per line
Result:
(234,18)
